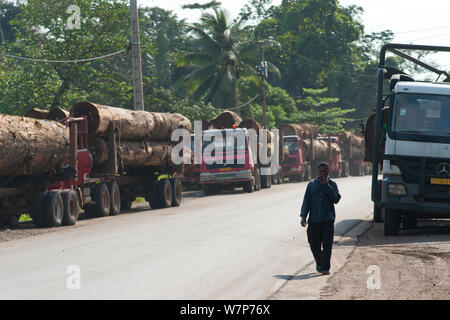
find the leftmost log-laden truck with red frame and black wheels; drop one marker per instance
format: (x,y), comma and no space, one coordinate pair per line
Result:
(99,158)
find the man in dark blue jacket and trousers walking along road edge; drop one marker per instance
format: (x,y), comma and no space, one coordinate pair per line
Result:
(320,197)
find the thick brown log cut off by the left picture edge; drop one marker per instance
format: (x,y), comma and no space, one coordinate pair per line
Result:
(32,146)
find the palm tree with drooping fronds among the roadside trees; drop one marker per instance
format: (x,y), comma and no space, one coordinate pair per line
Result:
(217,60)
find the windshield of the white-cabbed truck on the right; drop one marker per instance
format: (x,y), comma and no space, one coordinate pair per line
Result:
(421,114)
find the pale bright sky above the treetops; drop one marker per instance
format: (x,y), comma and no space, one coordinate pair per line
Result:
(412,21)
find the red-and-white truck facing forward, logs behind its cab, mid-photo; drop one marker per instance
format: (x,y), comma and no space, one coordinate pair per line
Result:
(246,168)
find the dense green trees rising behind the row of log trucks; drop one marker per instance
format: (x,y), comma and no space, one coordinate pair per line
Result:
(196,69)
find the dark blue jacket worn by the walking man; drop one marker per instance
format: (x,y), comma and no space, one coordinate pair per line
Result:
(319,201)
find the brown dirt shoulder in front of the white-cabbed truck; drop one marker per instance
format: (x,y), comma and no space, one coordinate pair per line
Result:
(413,265)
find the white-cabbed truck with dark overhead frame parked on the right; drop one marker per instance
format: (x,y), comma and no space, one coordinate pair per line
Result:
(409,137)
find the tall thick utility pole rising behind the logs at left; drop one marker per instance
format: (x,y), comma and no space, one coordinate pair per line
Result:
(137,62)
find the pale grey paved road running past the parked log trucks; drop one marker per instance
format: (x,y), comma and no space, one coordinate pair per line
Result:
(228,246)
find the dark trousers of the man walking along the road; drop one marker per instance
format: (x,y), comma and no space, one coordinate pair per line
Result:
(320,238)
